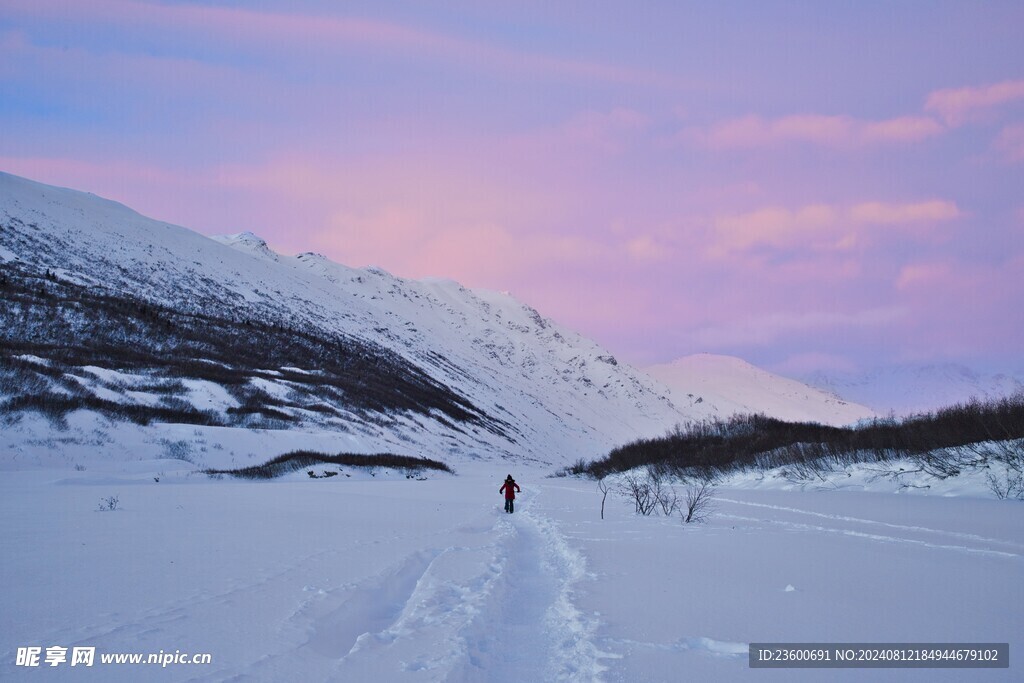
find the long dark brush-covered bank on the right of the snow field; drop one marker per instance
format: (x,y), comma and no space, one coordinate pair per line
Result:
(942,443)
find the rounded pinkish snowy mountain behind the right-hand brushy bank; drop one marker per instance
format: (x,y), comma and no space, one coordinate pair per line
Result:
(722,386)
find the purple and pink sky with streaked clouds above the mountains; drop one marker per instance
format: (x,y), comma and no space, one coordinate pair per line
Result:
(804,185)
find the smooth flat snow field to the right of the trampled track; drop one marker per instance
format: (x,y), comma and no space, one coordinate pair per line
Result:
(673,601)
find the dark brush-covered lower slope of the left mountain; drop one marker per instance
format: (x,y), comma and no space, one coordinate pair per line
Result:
(72,326)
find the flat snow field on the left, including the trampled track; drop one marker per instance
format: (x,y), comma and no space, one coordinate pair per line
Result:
(370,580)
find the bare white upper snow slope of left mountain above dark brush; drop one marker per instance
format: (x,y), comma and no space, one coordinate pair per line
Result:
(561,397)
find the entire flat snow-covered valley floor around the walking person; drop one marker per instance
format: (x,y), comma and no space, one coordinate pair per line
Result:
(385,578)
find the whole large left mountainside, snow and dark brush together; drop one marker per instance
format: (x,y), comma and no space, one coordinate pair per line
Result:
(439,369)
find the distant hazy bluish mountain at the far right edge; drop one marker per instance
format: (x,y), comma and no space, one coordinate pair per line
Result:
(917,389)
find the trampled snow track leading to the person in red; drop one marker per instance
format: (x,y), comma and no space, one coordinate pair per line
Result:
(498,612)
